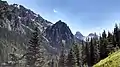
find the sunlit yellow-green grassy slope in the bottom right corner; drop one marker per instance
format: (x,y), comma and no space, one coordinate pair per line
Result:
(112,60)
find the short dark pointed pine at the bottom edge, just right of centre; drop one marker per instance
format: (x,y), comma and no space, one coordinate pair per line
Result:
(70,60)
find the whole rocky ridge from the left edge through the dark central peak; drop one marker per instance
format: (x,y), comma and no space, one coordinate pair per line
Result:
(16,25)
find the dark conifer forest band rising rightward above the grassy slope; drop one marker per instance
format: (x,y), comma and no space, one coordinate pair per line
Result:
(94,49)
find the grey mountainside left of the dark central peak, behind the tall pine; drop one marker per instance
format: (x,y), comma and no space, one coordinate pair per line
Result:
(16,25)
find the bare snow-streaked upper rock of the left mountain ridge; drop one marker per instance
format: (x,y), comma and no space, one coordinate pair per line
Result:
(18,18)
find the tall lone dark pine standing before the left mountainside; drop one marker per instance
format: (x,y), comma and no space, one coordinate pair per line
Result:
(33,49)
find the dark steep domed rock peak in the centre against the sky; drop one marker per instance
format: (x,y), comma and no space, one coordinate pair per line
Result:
(58,32)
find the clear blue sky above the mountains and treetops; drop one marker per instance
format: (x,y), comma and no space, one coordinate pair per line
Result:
(85,16)
